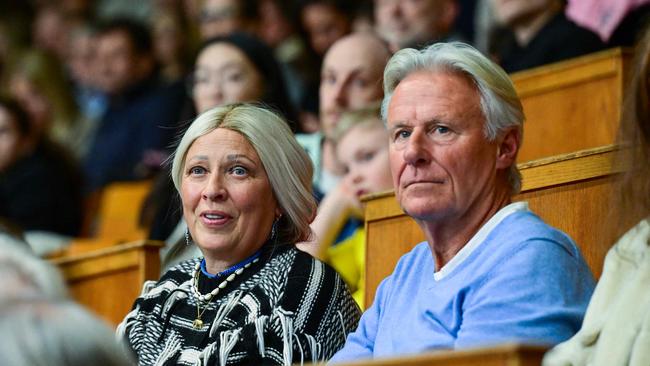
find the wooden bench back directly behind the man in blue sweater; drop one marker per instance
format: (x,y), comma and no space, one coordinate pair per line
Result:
(572,192)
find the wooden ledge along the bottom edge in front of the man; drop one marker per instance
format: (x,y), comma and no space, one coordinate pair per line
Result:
(502,355)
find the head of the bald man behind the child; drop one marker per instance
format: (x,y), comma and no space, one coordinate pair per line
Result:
(351,77)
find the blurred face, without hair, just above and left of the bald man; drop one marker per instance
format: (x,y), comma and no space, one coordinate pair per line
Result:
(325,25)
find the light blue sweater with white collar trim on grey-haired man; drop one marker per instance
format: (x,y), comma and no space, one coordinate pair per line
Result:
(517,280)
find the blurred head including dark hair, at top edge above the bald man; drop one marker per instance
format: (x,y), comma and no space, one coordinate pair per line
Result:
(325,21)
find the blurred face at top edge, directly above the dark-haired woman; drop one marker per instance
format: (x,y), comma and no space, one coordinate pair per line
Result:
(221,17)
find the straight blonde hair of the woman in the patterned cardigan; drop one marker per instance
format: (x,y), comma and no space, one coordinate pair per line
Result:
(287,165)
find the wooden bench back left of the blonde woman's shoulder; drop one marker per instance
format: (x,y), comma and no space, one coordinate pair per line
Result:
(108,280)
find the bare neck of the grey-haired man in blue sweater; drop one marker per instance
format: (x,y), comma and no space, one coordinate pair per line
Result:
(447,237)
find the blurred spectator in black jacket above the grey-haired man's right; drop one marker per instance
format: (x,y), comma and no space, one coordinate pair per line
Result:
(541,34)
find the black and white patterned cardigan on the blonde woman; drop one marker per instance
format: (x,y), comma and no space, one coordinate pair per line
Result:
(287,308)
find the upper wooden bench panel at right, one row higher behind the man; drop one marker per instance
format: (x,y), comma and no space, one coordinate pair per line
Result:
(572,105)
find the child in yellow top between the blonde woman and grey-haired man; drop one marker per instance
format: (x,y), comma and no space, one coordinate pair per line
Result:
(362,148)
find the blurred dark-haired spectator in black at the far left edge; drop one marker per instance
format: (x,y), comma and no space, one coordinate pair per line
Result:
(39,185)
